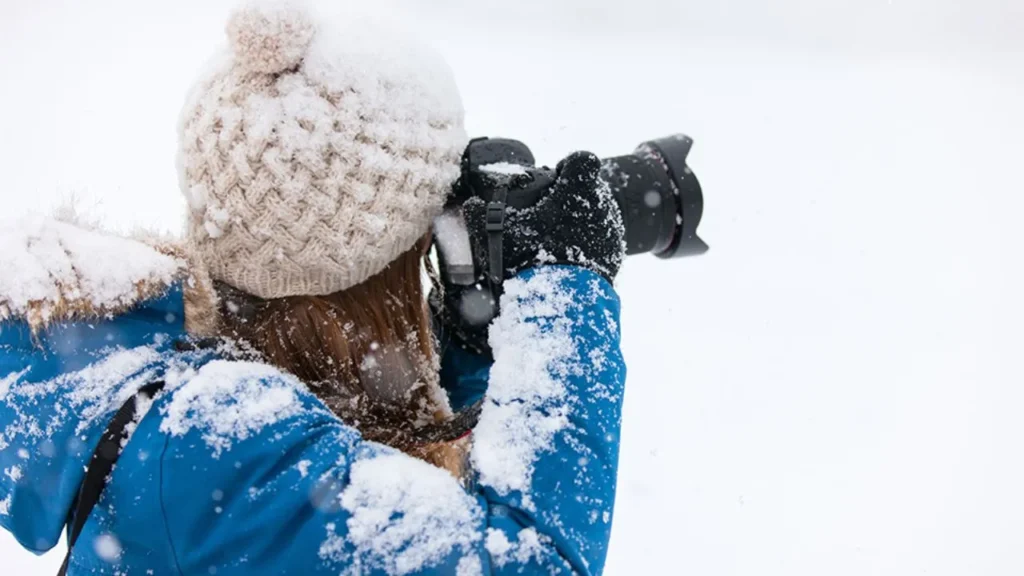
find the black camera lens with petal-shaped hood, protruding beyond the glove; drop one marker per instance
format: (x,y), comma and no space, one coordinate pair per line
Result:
(660,198)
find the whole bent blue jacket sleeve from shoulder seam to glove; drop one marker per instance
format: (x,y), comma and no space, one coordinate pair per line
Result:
(305,495)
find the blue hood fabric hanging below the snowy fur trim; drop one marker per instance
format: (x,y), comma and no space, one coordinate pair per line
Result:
(59,390)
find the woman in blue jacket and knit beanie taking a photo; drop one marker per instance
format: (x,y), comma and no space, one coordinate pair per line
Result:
(291,414)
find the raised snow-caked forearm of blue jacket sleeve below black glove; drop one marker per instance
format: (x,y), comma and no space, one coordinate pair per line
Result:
(547,446)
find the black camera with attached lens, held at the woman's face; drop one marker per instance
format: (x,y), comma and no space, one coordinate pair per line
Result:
(659,196)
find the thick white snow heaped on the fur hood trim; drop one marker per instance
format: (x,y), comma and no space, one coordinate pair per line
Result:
(55,269)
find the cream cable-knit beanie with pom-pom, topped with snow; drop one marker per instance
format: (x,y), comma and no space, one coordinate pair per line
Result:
(318,149)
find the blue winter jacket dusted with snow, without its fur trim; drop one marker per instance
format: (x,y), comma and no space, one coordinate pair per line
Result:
(239,469)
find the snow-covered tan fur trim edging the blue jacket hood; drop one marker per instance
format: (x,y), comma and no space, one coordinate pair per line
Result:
(57,271)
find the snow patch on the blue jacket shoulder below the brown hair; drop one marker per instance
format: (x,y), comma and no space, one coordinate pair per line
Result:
(229,401)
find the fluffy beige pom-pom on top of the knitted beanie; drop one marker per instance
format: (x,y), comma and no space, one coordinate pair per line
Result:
(271,36)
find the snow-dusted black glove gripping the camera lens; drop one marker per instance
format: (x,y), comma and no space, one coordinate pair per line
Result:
(577,222)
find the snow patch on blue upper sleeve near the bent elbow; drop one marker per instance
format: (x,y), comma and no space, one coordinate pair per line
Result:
(406,516)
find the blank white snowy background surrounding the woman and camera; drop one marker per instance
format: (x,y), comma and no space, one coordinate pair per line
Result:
(837,388)
